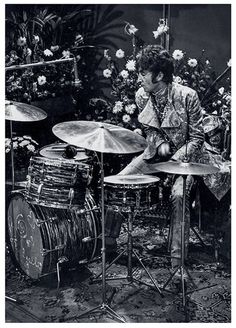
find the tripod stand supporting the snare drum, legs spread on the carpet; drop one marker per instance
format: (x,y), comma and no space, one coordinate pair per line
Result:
(130,251)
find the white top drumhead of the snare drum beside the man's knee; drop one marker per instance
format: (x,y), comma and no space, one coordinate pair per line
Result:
(130,179)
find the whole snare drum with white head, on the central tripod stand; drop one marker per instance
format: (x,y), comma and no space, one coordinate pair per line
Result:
(131,192)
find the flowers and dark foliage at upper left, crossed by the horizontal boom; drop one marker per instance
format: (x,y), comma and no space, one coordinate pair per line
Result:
(40,82)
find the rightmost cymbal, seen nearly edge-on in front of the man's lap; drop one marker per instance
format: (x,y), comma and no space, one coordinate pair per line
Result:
(183,168)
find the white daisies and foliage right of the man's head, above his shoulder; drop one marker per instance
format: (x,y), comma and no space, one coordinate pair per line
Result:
(214,92)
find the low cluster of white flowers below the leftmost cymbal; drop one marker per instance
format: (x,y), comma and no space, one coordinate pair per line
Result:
(23,147)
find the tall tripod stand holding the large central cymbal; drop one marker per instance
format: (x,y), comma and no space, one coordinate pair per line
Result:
(104,306)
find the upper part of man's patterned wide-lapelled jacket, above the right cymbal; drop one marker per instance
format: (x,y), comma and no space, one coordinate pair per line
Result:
(182,123)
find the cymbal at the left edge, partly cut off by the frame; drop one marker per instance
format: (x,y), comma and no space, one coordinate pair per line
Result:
(16,111)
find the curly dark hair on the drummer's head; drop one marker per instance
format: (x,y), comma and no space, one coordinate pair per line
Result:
(155,59)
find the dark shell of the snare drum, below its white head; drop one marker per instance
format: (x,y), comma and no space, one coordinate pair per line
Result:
(140,197)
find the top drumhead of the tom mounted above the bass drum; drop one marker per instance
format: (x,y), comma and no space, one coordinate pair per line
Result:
(57,151)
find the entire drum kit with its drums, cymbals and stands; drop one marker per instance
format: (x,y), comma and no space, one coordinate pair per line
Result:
(49,221)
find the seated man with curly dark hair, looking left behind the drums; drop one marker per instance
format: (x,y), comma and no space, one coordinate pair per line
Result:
(172,120)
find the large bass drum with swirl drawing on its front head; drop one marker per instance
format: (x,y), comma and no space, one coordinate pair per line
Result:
(40,235)
